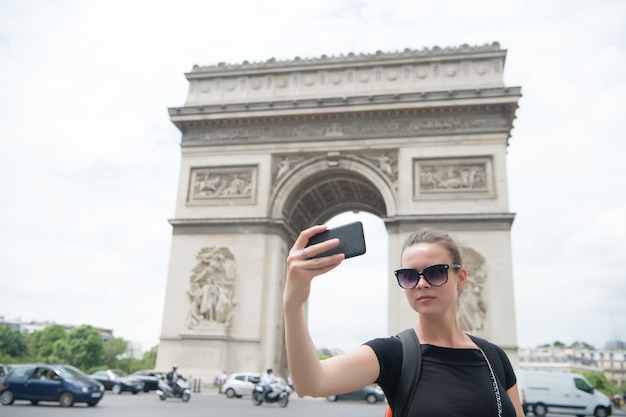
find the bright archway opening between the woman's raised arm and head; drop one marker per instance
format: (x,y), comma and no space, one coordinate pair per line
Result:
(348,305)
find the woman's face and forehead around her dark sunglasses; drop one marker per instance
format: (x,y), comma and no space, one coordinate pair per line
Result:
(425,298)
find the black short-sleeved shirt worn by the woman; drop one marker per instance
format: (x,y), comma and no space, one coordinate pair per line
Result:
(453,383)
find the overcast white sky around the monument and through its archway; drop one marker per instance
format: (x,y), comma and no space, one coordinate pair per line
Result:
(89,159)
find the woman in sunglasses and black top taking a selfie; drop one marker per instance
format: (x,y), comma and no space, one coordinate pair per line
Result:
(455,379)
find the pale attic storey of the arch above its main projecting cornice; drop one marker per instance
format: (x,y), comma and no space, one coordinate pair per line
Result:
(367,75)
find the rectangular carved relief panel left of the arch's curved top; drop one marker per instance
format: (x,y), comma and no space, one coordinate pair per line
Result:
(222,185)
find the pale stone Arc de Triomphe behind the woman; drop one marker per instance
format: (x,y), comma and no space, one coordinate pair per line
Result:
(417,137)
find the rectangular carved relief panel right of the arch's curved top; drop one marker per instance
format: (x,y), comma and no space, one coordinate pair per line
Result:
(447,178)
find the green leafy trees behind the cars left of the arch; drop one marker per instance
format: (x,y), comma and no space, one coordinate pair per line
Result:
(81,347)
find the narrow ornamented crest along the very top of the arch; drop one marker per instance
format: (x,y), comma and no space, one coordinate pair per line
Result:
(351,58)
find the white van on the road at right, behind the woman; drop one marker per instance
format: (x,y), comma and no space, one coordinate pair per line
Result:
(558,392)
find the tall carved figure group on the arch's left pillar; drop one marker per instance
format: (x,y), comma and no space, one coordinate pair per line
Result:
(211,289)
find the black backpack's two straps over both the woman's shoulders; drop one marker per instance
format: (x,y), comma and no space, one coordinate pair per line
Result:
(412,368)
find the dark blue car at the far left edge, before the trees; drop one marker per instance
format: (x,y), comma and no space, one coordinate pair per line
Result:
(40,382)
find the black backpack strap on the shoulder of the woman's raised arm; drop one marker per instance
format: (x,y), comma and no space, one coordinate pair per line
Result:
(409,373)
